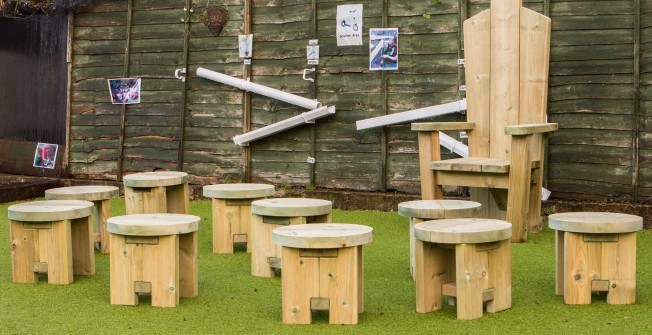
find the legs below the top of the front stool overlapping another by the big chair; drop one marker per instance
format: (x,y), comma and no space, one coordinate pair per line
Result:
(469,274)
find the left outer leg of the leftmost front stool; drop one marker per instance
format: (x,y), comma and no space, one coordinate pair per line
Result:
(23,253)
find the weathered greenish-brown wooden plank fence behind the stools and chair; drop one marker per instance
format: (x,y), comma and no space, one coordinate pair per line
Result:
(601,72)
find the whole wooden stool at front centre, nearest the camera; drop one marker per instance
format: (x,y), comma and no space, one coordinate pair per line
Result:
(322,270)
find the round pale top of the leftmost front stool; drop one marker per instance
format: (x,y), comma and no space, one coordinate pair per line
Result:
(50,210)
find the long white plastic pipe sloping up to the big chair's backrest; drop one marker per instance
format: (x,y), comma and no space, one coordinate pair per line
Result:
(421,113)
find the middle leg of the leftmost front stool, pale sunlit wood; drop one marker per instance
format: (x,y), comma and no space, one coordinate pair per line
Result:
(59,252)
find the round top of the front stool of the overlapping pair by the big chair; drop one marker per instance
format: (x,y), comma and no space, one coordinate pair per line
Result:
(458,231)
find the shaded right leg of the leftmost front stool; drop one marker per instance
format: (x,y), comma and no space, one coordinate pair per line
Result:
(83,256)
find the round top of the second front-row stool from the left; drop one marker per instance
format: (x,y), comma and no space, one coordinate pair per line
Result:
(157,224)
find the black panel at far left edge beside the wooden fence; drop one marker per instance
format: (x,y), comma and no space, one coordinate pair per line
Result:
(33,78)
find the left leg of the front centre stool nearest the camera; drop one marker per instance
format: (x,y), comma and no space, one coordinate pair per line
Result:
(300,282)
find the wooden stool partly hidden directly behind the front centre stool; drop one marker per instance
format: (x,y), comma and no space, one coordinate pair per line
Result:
(268,214)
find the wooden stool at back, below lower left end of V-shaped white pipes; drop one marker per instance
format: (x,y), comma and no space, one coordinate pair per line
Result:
(232,212)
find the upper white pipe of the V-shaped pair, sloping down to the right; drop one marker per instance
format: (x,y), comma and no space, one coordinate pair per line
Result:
(259,89)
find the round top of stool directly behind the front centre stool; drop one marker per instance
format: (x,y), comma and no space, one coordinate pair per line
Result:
(289,207)
